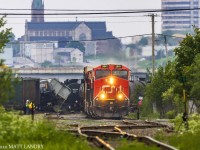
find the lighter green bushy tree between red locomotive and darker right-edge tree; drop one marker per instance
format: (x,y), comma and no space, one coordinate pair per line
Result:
(164,91)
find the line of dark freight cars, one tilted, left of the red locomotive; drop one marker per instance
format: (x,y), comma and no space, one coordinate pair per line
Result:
(46,94)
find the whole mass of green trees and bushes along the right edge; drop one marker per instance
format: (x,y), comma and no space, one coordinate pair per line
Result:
(169,82)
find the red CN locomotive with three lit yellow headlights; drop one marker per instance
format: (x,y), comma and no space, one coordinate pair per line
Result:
(106,91)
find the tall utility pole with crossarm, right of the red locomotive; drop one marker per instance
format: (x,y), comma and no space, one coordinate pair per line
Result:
(153,40)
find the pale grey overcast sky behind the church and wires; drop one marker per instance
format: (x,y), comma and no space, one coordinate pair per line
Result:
(120,26)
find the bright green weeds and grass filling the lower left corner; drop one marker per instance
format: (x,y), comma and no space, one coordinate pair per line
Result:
(16,129)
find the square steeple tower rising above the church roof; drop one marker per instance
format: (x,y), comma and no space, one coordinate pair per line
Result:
(37,11)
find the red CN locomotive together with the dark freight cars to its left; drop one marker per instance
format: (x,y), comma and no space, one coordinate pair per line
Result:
(104,92)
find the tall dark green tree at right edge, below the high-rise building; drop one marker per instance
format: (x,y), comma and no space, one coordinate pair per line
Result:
(185,54)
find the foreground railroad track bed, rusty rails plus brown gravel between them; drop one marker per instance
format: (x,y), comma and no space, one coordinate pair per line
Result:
(107,136)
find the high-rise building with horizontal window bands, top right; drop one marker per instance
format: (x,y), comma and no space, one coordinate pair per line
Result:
(181,20)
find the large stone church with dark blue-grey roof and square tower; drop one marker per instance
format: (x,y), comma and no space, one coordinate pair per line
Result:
(91,34)
